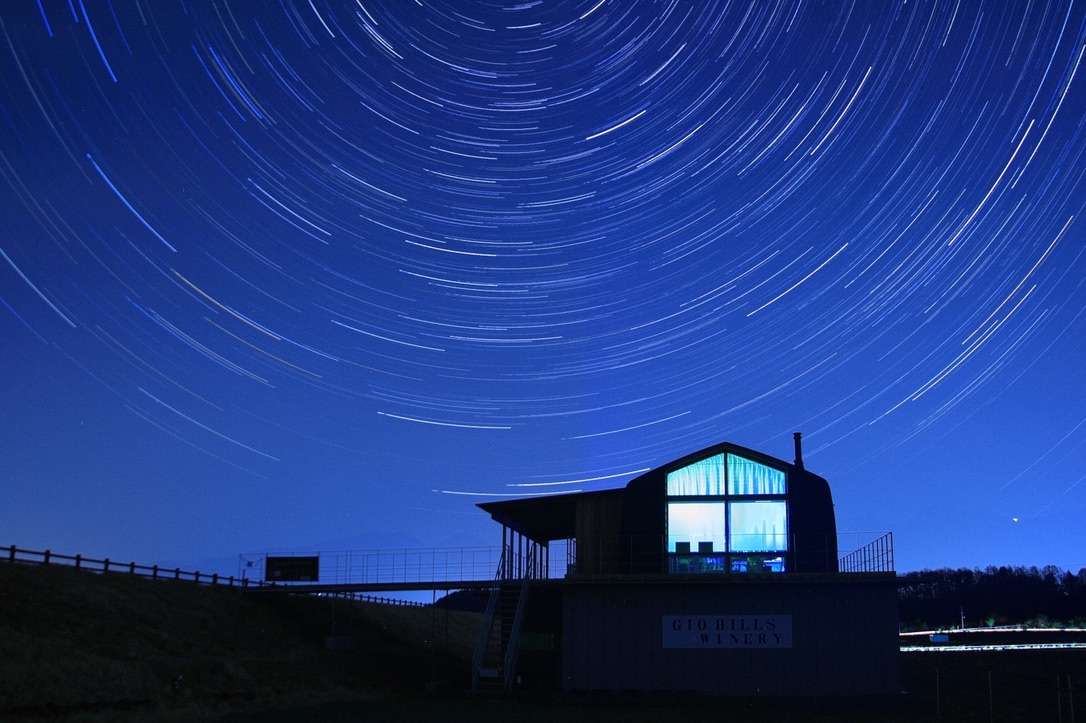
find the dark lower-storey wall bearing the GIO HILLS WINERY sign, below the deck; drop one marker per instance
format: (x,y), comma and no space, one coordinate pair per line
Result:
(841,638)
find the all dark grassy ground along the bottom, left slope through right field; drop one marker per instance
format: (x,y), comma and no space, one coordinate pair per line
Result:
(81,646)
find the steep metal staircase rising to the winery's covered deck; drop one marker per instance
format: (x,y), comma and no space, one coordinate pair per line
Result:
(495,664)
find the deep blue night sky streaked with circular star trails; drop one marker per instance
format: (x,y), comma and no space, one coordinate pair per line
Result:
(314,275)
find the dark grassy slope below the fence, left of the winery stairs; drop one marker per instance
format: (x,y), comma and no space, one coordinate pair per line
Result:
(77,642)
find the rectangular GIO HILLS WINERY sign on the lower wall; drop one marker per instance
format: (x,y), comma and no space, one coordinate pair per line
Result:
(727,631)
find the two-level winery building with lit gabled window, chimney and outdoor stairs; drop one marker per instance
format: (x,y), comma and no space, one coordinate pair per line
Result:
(716,574)
